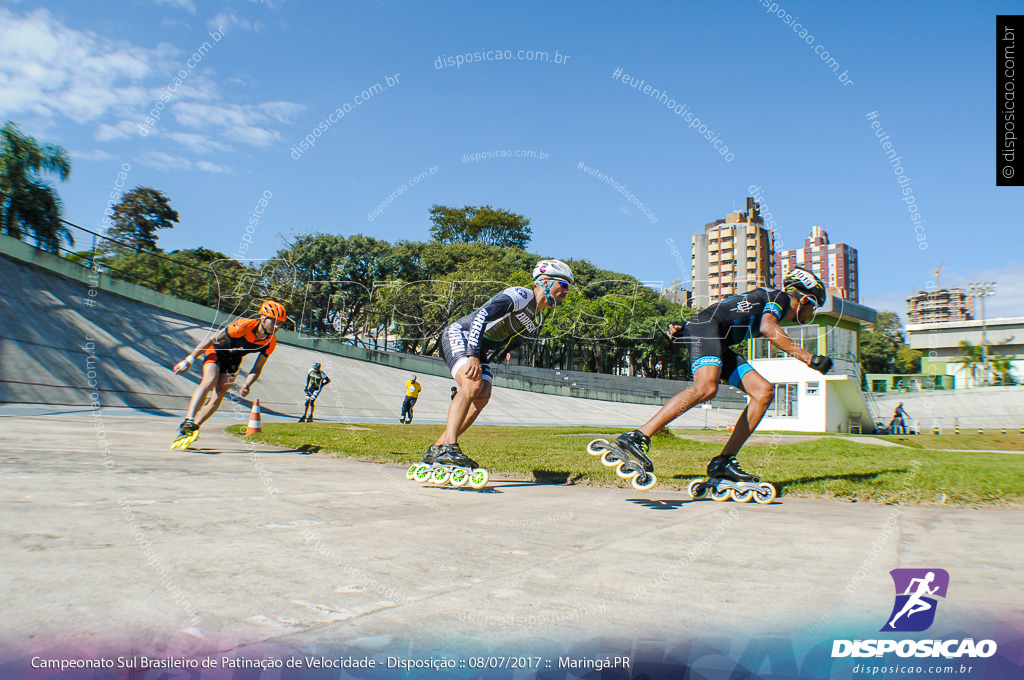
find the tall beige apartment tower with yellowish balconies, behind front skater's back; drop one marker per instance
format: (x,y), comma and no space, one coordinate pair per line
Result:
(732,257)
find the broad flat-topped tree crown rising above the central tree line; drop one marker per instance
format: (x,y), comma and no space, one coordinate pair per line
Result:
(480,225)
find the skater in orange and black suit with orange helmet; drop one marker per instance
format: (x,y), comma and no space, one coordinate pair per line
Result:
(224,354)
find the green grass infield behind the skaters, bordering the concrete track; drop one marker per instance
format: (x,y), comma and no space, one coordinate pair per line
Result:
(831,467)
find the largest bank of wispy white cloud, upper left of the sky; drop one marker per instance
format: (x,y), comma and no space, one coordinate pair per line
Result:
(51,72)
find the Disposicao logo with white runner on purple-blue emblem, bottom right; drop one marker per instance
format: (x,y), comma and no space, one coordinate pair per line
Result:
(914,612)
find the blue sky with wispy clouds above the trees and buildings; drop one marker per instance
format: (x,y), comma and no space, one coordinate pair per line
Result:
(86,75)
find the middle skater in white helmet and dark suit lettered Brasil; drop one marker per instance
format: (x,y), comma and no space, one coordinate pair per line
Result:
(472,343)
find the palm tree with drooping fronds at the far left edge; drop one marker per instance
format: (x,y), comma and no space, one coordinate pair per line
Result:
(28,203)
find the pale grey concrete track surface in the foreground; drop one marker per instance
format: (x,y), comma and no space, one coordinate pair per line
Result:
(158,551)
